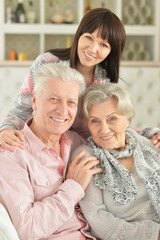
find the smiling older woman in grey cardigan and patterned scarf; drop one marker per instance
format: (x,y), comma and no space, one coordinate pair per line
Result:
(122,202)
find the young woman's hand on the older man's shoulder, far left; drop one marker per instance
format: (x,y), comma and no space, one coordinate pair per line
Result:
(10,138)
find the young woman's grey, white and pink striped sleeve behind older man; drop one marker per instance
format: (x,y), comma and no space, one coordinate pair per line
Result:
(22,106)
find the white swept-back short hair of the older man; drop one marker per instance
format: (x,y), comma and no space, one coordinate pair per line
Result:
(50,70)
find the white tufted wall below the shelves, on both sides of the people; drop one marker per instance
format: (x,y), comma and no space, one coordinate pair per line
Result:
(143,84)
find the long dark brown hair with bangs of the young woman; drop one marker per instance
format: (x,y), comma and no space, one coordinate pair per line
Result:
(110,28)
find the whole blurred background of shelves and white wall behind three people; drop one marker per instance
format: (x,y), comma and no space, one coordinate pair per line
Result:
(46,24)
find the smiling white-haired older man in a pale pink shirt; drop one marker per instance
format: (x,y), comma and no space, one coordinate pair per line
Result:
(39,195)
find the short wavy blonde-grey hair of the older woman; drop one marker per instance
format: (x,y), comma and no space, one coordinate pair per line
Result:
(101,93)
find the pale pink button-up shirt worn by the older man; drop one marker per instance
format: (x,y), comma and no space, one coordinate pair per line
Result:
(41,203)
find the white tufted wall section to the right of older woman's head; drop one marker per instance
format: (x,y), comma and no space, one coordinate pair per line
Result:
(144,86)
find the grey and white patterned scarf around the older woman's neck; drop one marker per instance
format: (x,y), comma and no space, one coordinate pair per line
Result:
(119,181)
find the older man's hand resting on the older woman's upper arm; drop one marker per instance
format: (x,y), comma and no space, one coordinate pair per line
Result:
(82,169)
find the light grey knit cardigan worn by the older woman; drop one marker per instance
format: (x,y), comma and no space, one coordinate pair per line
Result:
(108,221)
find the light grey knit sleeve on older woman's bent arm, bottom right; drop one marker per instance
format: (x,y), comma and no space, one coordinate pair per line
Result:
(104,225)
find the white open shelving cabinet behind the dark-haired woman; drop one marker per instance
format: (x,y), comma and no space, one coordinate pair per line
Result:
(60,35)
